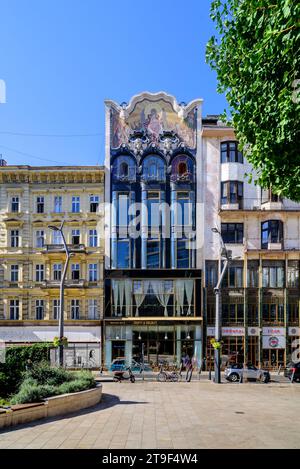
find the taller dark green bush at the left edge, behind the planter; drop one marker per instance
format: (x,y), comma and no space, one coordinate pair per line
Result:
(17,360)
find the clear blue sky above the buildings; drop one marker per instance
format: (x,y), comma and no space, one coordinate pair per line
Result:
(61,58)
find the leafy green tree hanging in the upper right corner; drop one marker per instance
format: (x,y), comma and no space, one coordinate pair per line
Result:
(257,58)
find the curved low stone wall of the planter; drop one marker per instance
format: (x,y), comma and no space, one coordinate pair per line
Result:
(53,406)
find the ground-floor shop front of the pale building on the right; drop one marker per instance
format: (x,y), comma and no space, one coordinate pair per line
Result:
(267,347)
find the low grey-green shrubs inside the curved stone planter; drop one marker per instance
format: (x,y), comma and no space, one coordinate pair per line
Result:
(43,381)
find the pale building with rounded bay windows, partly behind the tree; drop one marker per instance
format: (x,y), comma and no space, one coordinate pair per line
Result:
(261,292)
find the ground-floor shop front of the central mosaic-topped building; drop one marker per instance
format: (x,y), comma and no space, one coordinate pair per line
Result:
(159,342)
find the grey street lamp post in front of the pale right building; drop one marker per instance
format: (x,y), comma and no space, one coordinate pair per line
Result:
(218,318)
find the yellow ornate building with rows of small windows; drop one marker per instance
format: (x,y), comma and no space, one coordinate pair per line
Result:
(32,258)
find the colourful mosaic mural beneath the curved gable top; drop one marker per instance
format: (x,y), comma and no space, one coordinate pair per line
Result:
(153,118)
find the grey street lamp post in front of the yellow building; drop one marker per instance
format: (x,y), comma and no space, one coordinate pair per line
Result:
(61,293)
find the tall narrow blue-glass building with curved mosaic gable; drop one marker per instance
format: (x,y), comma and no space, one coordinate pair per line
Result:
(153,284)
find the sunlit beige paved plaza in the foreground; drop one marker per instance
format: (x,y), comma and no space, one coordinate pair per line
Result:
(173,415)
